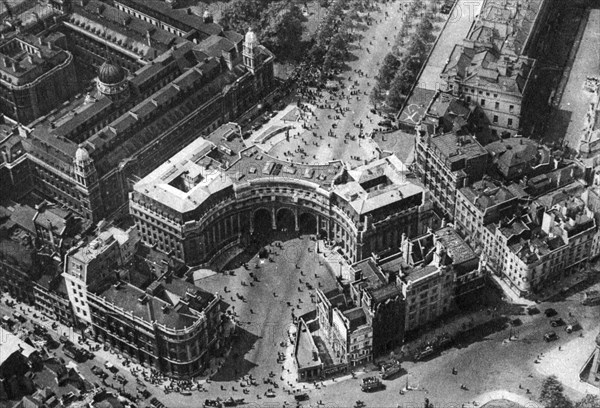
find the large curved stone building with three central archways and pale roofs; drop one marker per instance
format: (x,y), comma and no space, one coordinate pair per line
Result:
(217,192)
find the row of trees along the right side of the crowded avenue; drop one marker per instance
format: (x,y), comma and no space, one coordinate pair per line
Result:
(399,71)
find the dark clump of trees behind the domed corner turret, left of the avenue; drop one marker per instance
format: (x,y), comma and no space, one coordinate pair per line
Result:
(277,23)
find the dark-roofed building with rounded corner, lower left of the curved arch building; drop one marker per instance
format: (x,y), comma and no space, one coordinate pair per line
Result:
(171,325)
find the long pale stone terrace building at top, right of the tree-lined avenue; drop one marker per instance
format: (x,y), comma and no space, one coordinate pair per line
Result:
(492,67)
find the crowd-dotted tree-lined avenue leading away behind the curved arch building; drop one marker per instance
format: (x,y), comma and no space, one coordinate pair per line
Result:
(356,84)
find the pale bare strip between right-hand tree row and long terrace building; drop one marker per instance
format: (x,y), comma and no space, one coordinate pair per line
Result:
(454,32)
